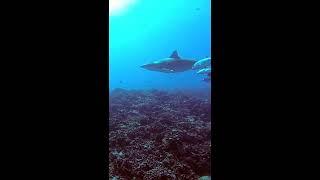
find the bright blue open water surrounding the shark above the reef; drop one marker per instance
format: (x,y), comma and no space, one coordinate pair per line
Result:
(147,30)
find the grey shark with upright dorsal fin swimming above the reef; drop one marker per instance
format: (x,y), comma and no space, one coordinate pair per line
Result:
(171,64)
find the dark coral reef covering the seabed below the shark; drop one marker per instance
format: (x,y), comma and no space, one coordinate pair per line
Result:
(159,135)
